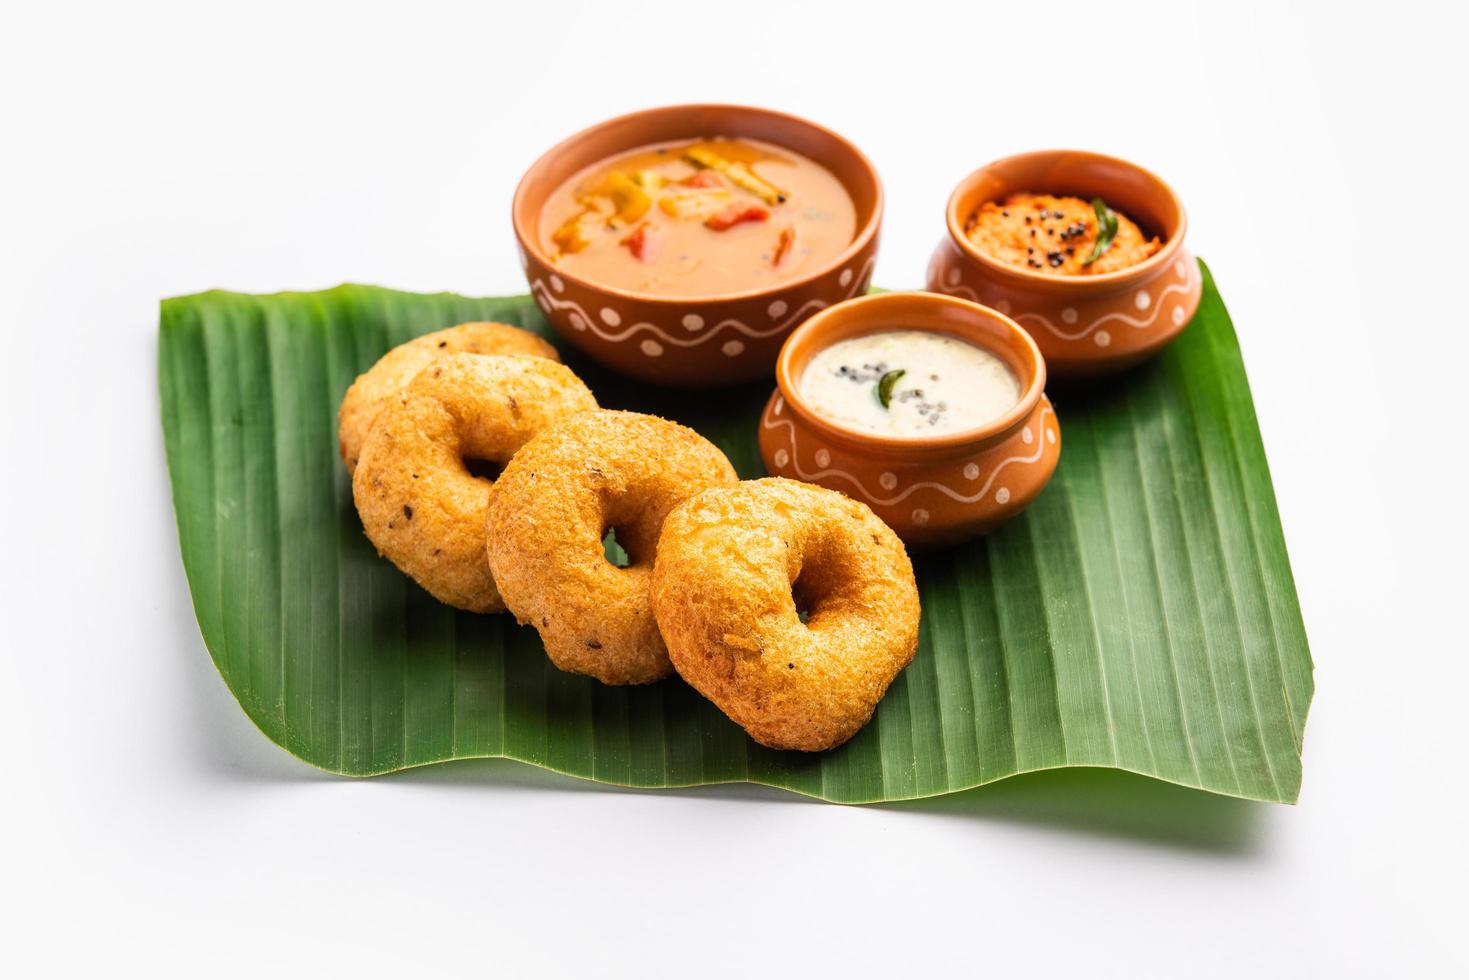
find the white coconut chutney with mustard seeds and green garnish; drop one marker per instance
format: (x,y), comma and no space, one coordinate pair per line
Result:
(909,384)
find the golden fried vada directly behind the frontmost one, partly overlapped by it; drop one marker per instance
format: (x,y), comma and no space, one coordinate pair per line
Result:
(550,512)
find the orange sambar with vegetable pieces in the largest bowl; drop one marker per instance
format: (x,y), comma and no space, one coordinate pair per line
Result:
(699,220)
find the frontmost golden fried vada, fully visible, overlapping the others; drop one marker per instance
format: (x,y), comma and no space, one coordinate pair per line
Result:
(738,565)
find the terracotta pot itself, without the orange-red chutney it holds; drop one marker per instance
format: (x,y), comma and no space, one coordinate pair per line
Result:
(1085,325)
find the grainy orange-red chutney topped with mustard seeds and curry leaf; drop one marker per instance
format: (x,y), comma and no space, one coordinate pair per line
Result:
(1058,236)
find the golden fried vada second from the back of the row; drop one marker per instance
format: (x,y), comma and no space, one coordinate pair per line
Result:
(419,503)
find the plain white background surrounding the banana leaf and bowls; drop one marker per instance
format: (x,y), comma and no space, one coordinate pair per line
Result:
(149,151)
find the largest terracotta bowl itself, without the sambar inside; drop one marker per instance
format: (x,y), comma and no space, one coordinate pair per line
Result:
(718,340)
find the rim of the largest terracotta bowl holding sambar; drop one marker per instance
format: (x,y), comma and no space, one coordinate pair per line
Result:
(860,242)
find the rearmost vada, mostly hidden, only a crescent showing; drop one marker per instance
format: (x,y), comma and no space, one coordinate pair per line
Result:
(393,372)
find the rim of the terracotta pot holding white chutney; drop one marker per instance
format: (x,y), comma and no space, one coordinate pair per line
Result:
(875,306)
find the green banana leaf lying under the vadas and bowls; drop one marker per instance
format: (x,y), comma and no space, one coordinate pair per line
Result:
(1141,615)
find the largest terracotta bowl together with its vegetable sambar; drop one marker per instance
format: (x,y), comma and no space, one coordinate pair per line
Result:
(681,246)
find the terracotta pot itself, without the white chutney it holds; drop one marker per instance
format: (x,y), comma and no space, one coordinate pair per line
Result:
(932,491)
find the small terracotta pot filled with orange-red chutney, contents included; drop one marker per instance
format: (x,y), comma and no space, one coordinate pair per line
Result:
(1085,252)
